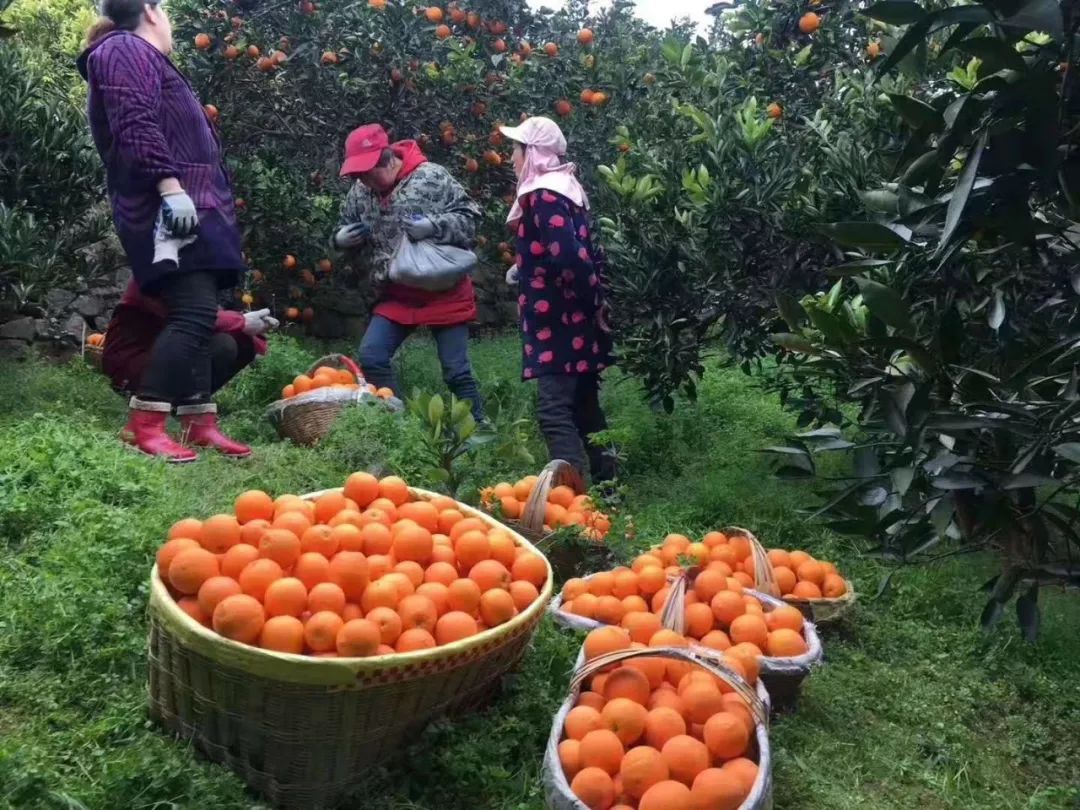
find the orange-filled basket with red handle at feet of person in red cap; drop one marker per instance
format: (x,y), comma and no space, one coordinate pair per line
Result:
(312,404)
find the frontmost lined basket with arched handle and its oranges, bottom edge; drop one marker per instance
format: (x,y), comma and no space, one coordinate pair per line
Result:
(659,728)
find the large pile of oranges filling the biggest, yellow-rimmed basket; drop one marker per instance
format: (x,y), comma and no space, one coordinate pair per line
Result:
(367,571)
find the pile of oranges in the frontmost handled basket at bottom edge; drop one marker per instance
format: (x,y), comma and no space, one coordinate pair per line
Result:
(658,734)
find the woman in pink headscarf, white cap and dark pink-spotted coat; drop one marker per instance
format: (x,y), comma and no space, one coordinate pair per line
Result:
(562,298)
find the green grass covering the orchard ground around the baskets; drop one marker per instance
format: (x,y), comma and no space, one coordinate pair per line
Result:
(914,708)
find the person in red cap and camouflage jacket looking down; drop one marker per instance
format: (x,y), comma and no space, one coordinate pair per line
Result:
(399,193)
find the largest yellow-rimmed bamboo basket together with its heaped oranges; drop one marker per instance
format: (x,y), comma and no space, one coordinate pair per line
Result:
(302,672)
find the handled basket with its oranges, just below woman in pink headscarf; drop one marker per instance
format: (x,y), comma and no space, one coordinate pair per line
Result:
(555,512)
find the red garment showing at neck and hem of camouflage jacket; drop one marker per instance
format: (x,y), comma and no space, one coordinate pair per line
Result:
(413,307)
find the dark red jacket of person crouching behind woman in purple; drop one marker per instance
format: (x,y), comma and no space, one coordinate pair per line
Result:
(137,323)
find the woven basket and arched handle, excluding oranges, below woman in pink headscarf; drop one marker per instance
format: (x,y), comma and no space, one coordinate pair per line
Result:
(568,559)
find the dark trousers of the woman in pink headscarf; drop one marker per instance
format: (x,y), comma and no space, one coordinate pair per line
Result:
(569,410)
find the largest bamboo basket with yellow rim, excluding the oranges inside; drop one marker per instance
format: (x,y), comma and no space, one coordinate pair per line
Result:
(304,732)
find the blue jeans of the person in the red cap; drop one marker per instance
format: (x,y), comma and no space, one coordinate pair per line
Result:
(383,340)
